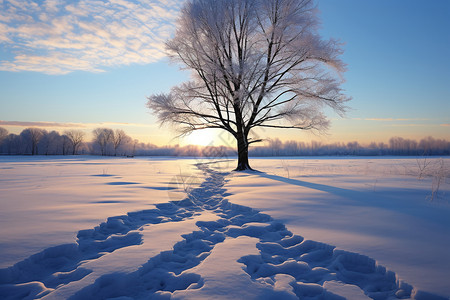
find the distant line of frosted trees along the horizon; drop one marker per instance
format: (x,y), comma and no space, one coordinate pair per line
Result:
(108,142)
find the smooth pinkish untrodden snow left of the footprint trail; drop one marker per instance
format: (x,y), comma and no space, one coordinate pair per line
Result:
(46,201)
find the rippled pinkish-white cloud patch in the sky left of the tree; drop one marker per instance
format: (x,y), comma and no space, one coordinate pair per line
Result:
(61,36)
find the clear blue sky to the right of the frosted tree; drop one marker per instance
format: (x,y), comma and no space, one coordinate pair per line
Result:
(398,66)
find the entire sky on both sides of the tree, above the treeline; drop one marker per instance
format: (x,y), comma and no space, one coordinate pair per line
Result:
(84,64)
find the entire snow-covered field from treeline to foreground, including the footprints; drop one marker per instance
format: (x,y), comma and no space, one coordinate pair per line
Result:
(145,228)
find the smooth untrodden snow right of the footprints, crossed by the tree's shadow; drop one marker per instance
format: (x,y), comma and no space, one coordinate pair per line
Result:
(376,207)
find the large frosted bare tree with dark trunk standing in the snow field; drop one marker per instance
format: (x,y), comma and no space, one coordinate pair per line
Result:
(255,63)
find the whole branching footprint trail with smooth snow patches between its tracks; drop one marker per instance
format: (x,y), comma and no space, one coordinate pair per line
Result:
(207,248)
